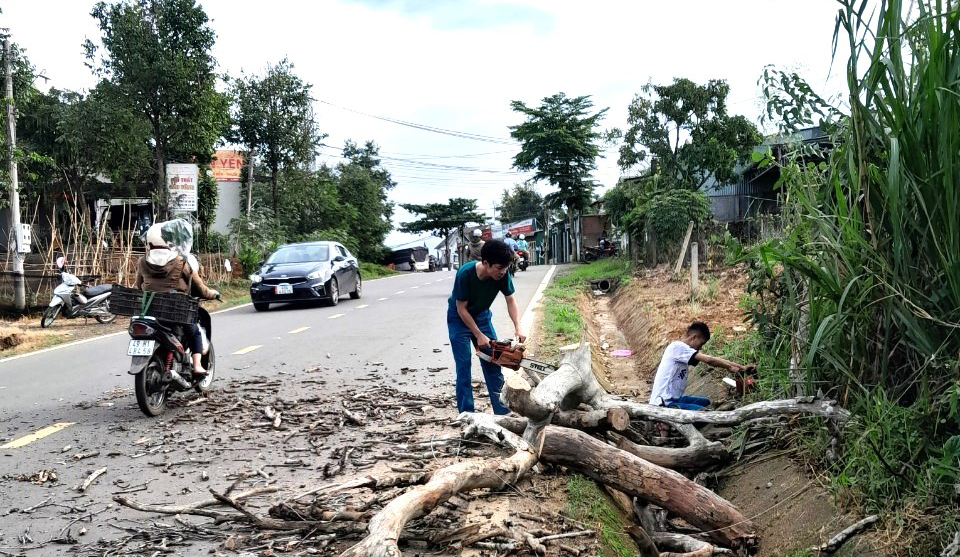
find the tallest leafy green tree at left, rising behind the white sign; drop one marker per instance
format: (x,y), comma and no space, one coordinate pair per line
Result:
(156,54)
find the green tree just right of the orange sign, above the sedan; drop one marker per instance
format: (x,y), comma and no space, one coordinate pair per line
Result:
(273,117)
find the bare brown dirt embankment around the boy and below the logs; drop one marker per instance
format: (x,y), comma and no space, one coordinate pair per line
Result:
(789,505)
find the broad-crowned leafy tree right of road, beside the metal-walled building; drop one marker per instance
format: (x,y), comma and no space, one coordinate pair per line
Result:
(684,132)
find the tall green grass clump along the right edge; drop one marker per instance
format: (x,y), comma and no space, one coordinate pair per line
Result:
(868,278)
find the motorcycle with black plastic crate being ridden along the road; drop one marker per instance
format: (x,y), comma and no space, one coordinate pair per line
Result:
(161,362)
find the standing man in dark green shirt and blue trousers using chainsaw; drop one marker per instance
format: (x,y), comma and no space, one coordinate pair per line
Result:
(470,322)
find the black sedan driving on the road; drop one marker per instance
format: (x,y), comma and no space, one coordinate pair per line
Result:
(310,271)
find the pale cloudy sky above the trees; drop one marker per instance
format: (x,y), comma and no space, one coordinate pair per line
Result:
(458,65)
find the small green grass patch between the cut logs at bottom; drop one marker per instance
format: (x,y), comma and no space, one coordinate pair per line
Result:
(588,504)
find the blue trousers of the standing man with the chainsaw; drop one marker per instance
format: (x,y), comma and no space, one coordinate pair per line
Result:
(462,343)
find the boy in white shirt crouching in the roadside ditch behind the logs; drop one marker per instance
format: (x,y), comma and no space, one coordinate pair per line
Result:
(671,378)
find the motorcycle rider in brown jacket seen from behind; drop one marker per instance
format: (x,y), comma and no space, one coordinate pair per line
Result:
(163,270)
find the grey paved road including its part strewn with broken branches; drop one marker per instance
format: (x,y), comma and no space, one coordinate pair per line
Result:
(84,392)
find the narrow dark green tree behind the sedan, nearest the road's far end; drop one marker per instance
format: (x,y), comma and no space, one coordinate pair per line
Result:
(363,185)
